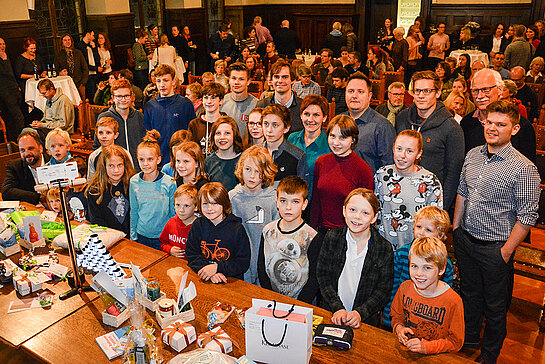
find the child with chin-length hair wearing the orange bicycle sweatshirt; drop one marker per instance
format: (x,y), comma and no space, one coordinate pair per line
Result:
(217,245)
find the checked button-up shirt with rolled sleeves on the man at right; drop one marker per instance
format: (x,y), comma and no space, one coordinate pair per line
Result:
(499,191)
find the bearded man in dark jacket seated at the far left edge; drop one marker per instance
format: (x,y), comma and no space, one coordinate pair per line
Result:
(21,175)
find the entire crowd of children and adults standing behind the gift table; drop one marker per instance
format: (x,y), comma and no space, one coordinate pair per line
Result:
(349,213)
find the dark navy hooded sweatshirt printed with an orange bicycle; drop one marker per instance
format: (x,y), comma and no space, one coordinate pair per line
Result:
(226,244)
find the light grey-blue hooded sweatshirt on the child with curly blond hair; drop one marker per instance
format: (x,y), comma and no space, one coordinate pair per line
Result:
(256,209)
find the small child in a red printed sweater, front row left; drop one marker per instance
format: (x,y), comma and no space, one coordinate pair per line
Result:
(174,235)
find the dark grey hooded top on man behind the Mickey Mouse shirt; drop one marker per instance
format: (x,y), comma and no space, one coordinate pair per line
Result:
(443,145)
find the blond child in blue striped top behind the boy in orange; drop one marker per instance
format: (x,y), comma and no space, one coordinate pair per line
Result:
(429,222)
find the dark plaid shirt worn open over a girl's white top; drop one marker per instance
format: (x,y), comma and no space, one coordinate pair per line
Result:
(375,283)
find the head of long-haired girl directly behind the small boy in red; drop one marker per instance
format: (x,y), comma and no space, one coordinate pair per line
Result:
(189,165)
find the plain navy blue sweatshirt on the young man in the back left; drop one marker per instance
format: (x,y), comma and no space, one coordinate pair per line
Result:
(168,115)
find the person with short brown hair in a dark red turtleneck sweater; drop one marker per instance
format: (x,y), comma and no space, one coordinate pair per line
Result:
(337,173)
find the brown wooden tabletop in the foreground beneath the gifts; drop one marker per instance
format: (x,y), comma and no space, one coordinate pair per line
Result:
(72,339)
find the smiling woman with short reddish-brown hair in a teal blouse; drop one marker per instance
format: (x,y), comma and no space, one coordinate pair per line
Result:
(312,140)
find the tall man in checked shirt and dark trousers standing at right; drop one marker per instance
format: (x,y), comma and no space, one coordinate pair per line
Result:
(496,205)
